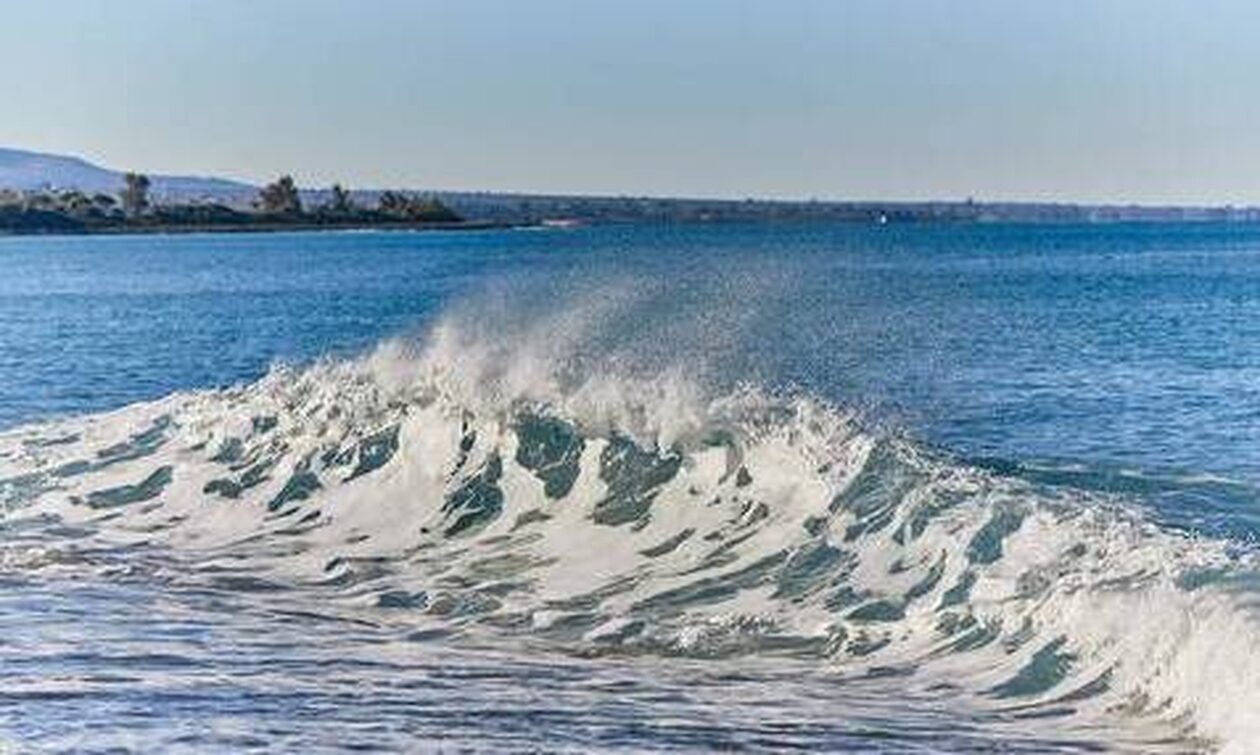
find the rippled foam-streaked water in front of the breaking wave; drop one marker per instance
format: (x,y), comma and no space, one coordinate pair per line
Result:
(115,666)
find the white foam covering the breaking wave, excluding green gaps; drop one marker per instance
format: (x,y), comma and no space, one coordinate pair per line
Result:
(1082,572)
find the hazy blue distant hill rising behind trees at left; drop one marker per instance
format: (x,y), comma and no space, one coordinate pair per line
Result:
(27,171)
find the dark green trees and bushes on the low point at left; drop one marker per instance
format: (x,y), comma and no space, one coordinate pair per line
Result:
(279,206)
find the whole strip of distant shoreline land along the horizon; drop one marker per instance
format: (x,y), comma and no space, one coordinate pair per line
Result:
(140,206)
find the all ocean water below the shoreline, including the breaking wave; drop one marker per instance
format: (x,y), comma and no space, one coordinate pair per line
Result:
(908,488)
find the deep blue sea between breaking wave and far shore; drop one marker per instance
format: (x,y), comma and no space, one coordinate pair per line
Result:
(1106,345)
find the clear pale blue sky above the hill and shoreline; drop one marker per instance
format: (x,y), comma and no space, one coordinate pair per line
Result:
(1087,100)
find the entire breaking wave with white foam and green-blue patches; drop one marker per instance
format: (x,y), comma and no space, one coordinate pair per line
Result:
(474,490)
